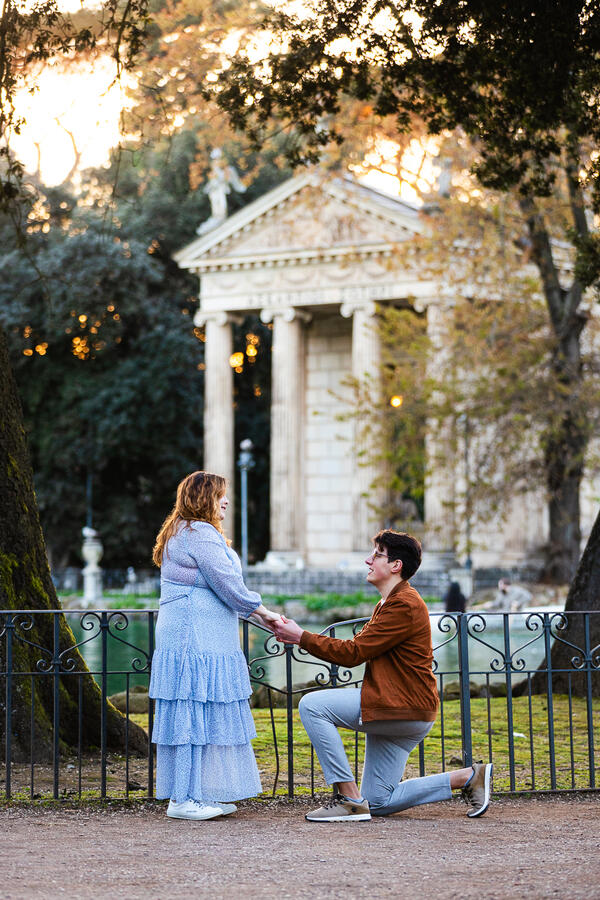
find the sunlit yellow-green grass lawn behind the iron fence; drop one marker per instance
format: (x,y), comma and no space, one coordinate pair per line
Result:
(530,744)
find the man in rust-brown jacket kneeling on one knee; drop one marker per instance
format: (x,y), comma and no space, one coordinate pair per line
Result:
(396,706)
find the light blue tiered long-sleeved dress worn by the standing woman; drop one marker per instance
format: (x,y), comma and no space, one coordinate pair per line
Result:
(203,725)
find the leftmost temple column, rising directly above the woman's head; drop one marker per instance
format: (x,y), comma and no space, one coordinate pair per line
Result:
(219,450)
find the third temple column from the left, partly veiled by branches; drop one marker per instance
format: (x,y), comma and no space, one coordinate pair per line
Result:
(366,355)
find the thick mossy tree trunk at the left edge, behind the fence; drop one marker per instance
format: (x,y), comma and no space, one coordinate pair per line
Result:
(25,584)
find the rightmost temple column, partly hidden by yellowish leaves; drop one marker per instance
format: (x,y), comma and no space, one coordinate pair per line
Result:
(439,542)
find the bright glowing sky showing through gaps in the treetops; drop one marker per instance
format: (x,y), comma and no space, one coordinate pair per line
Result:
(73,118)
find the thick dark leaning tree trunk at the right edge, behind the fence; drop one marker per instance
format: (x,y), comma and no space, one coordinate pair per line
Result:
(583,596)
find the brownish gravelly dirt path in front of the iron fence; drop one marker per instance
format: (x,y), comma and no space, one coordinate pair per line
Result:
(542,847)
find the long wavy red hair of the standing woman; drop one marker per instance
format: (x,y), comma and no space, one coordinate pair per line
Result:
(198,497)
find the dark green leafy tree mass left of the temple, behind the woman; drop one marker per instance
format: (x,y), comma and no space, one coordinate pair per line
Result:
(109,381)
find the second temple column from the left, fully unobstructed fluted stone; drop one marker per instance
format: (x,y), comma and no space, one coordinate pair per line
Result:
(287,412)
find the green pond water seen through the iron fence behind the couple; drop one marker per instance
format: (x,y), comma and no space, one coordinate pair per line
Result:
(487,636)
